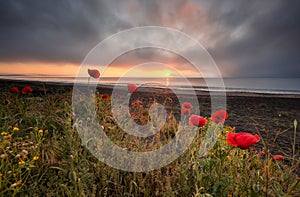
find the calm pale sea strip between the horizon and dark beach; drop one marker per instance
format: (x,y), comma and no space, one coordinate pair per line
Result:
(254,85)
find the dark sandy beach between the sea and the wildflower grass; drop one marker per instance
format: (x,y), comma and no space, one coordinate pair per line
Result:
(266,114)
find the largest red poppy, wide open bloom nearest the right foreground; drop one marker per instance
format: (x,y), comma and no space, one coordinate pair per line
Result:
(242,140)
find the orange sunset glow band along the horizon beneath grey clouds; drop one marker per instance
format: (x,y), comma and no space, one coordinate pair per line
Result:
(69,69)
